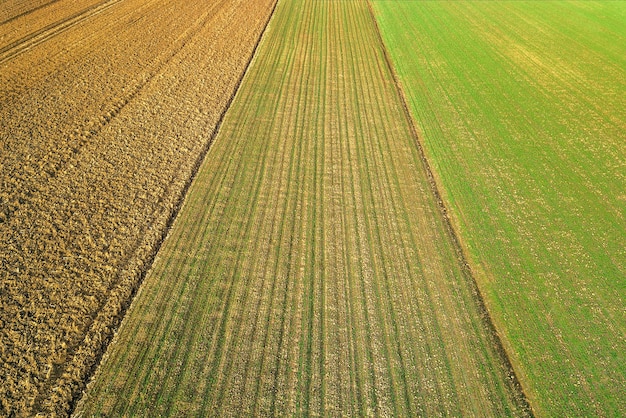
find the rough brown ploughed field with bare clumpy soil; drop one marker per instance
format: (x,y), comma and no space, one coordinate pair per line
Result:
(106,108)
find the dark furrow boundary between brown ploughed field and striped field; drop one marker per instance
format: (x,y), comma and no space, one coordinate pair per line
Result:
(73,390)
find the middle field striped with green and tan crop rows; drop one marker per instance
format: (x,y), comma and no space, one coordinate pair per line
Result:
(310,270)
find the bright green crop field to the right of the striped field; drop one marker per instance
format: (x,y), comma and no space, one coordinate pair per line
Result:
(522,110)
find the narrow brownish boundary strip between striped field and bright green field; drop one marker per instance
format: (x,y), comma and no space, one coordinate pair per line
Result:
(511,377)
